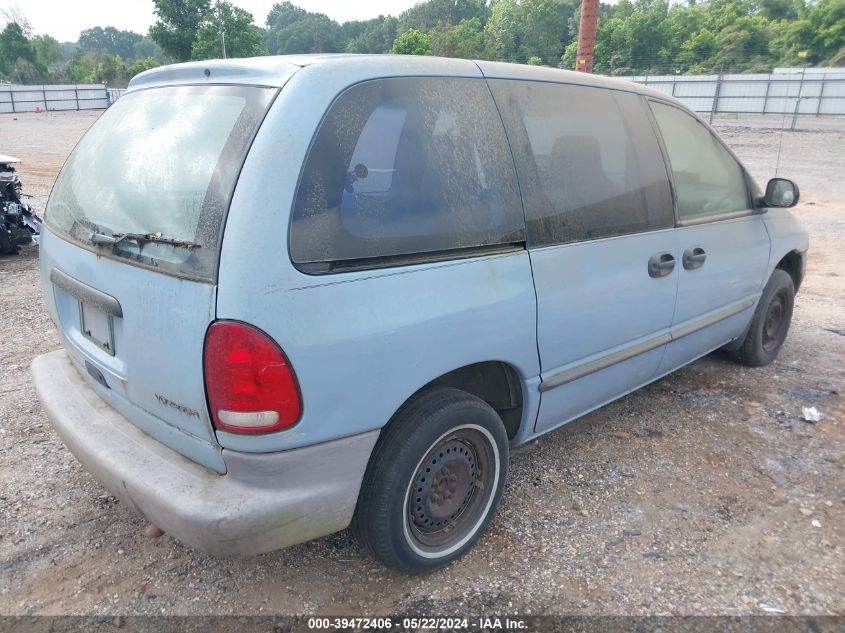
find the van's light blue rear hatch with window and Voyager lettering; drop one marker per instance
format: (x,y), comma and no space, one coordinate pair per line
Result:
(129,259)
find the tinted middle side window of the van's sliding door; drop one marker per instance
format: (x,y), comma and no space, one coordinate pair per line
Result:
(588,161)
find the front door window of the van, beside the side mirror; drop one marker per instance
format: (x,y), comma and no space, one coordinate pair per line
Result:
(707,178)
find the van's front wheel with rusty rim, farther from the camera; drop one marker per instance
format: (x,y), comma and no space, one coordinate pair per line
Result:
(770,323)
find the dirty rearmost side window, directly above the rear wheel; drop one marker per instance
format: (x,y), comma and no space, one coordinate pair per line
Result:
(405,166)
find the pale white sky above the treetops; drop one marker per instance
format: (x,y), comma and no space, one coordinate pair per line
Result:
(64,19)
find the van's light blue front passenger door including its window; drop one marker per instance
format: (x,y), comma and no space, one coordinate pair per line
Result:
(723,247)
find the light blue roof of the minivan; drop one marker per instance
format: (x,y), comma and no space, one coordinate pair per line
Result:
(277,69)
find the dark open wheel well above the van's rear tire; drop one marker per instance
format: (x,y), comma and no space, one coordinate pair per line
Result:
(495,382)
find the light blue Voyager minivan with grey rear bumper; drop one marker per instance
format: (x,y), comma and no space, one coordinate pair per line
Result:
(301,292)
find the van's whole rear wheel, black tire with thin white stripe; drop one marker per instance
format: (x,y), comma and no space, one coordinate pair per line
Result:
(433,482)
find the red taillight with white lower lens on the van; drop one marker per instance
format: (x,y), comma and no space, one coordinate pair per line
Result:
(250,385)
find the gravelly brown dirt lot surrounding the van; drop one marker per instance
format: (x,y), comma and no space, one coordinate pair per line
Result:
(705,493)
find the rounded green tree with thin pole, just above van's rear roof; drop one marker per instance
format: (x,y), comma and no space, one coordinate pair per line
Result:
(240,38)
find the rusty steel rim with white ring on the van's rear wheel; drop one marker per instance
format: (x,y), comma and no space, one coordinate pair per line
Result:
(470,471)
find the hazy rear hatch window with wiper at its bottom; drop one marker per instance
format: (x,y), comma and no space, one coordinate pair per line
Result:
(152,179)
